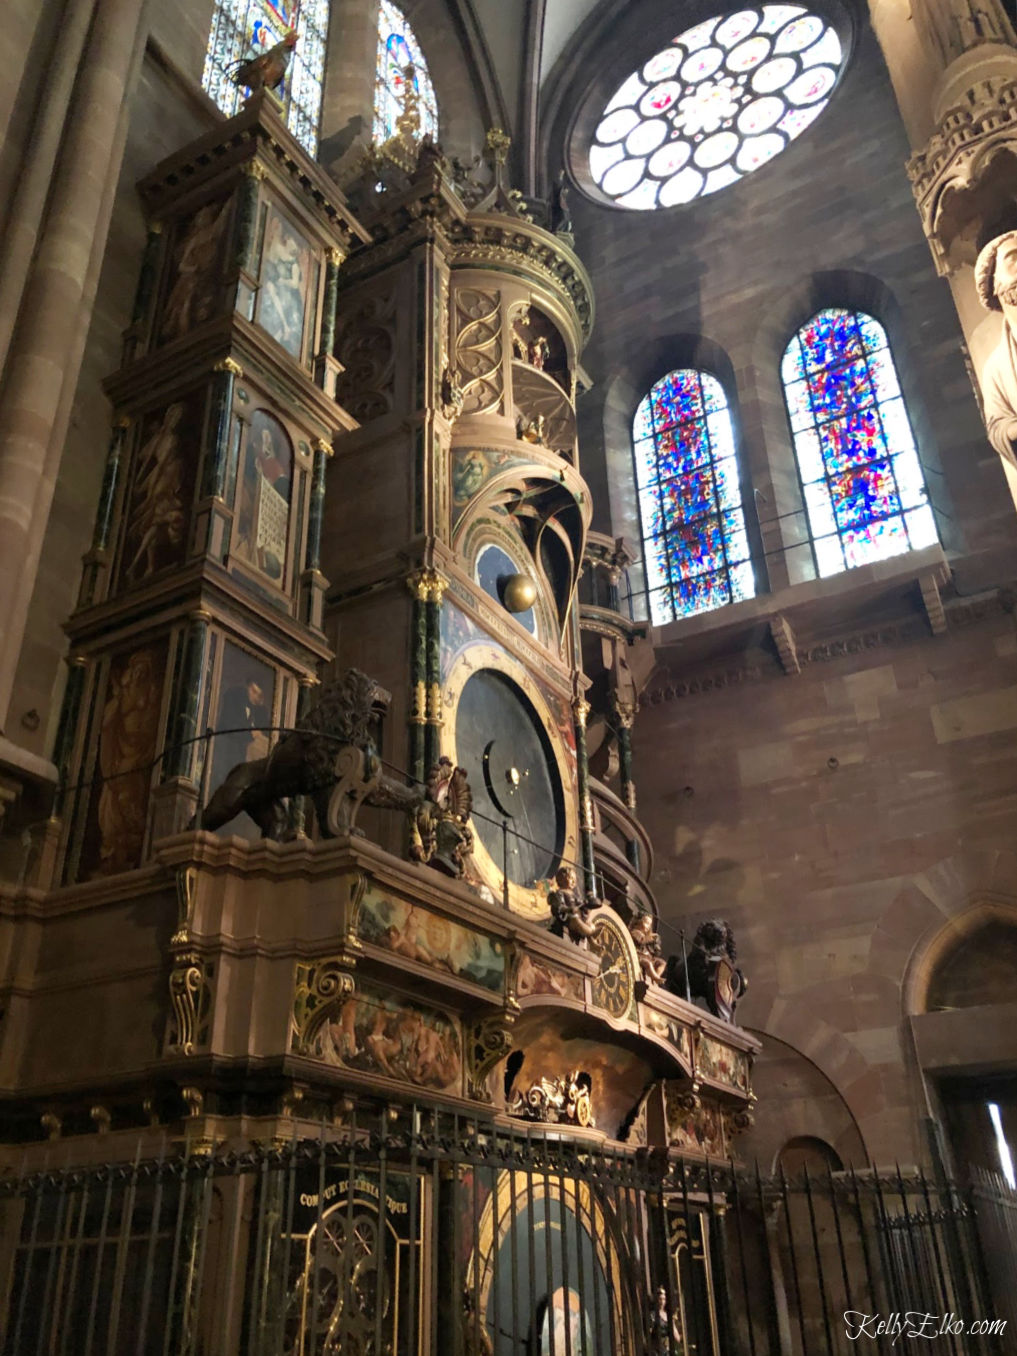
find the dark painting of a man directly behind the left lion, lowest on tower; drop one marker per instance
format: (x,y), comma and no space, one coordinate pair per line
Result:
(243,714)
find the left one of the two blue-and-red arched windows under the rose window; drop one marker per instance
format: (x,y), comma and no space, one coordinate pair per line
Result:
(690,498)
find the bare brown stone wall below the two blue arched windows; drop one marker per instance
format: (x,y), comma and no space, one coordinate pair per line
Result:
(841,820)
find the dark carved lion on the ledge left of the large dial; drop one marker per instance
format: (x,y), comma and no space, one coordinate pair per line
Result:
(329,757)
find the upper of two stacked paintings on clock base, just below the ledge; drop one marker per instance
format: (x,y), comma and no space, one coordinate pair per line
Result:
(431,939)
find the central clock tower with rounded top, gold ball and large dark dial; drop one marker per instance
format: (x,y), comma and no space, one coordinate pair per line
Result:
(456,515)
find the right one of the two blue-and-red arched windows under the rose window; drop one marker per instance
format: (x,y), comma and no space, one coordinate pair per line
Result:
(862,478)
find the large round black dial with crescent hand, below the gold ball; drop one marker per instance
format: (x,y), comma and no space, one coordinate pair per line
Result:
(508,756)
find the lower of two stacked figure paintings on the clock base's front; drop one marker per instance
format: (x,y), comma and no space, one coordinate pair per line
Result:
(393,1037)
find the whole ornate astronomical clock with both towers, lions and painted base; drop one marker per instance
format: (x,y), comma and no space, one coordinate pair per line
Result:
(333,603)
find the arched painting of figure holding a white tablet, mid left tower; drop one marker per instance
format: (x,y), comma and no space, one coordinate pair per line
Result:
(261,525)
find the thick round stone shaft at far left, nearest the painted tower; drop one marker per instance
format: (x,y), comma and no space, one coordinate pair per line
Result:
(45,351)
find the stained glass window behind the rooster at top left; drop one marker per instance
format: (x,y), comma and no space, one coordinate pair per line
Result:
(243,29)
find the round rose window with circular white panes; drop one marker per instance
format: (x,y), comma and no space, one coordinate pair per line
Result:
(713,106)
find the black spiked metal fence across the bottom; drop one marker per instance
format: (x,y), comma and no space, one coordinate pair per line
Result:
(429,1233)
